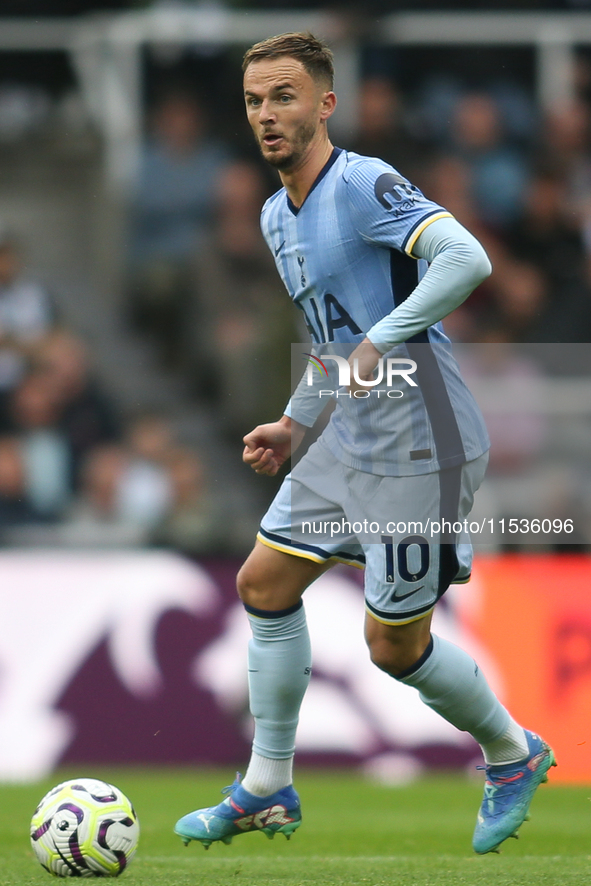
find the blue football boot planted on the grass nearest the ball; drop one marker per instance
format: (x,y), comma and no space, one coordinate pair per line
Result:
(240,813)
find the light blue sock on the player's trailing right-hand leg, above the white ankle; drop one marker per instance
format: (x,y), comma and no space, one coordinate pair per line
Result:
(450,682)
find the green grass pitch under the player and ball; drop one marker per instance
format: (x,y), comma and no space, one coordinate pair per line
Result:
(355,833)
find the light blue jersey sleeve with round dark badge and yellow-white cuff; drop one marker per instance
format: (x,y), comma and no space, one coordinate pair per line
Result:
(386,209)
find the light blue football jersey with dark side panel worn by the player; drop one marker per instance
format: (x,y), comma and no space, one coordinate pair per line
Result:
(345,257)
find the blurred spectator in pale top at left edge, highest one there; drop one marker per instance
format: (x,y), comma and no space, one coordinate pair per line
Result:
(26,311)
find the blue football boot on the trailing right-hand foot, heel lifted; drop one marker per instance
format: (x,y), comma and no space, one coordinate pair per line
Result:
(508,792)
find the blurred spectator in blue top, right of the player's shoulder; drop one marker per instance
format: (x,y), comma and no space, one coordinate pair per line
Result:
(498,172)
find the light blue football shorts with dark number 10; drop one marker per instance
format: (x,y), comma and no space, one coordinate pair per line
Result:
(410,533)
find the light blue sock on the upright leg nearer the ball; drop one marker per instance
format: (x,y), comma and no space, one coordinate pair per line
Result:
(279,668)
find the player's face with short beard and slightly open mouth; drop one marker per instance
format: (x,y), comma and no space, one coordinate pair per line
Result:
(285,107)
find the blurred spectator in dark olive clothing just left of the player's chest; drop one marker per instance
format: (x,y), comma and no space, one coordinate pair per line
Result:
(248,323)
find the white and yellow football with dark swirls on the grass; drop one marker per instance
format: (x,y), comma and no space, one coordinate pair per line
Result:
(84,828)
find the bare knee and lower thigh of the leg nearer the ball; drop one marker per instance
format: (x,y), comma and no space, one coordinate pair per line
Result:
(273,580)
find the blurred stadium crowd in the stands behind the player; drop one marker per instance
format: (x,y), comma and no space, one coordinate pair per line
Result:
(197,283)
